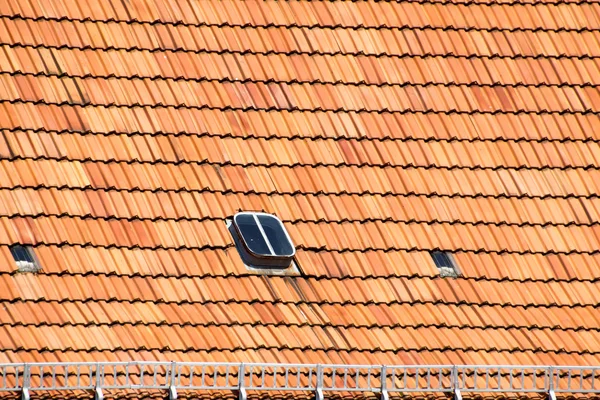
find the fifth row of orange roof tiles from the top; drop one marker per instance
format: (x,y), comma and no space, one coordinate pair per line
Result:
(372,126)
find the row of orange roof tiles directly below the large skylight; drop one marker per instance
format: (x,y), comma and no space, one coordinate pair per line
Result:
(381,291)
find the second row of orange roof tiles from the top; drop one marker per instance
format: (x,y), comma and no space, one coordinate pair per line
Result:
(304,40)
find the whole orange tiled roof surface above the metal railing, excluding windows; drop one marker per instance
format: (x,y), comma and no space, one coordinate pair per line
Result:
(377,131)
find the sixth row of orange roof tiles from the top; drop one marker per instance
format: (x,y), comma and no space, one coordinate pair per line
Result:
(250,151)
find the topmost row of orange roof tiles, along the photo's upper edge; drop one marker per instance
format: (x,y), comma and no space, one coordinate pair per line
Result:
(379,13)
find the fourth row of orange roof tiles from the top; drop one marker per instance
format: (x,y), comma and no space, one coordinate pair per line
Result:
(306,97)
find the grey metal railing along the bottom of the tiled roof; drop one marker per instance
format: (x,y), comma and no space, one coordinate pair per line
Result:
(317,378)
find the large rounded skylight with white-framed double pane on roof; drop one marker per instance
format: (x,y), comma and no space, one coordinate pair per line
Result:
(262,240)
